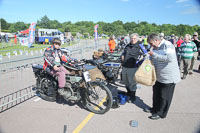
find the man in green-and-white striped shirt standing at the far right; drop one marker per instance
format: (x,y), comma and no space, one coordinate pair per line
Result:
(186,51)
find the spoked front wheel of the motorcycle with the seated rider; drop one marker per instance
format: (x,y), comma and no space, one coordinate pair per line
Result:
(98,98)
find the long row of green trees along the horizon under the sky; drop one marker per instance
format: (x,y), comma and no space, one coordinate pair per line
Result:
(114,28)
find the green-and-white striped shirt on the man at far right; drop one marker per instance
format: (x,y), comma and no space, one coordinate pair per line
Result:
(187,50)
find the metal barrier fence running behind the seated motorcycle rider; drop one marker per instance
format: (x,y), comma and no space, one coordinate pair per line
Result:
(17,74)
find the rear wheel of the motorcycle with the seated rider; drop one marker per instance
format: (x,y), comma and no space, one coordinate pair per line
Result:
(43,90)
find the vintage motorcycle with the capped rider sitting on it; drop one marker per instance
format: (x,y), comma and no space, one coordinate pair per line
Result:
(94,95)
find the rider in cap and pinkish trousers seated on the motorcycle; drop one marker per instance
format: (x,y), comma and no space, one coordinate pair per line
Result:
(54,58)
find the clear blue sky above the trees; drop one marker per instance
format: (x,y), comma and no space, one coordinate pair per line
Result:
(153,11)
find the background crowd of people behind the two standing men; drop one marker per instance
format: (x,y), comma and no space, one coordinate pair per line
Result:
(187,49)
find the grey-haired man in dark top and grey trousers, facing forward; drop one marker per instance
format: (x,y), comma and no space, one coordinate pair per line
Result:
(130,56)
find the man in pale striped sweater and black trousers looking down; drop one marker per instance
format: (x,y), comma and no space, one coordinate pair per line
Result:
(167,73)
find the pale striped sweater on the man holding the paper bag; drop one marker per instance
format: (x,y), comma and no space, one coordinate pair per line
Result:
(165,62)
